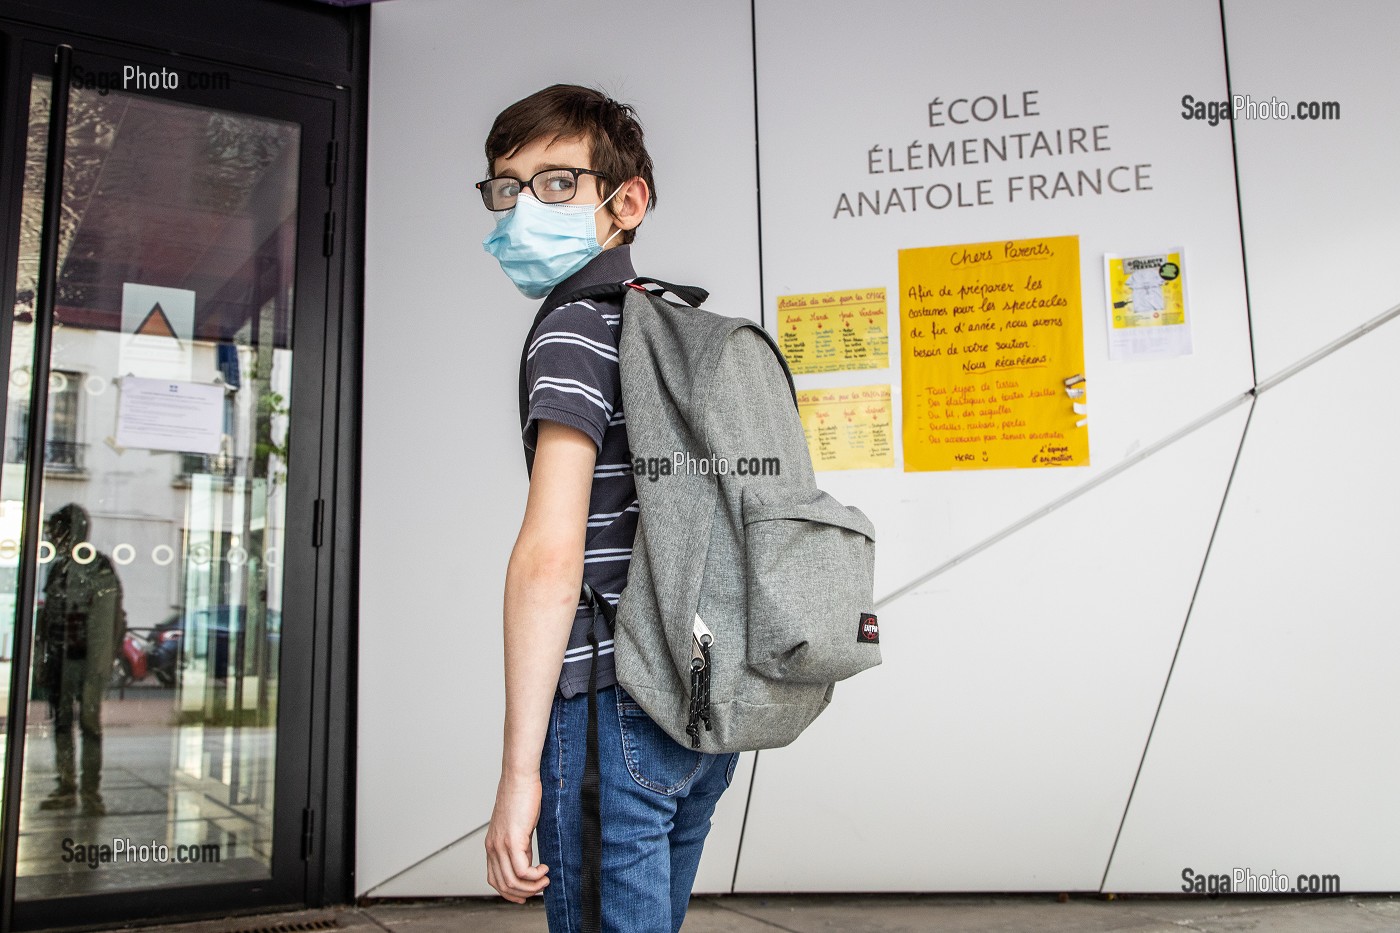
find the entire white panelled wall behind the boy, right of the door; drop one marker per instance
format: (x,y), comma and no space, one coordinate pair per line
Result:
(1000,745)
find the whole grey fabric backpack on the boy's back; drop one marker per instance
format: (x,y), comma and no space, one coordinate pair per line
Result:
(751,590)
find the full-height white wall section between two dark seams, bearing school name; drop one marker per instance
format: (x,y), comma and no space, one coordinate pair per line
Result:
(1000,740)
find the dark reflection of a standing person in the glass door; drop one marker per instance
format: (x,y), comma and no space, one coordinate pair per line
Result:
(78,634)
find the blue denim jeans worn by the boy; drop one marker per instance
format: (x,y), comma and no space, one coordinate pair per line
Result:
(656,796)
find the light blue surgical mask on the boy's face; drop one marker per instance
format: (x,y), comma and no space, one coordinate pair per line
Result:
(540,246)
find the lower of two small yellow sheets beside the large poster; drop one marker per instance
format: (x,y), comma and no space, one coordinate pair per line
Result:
(849,428)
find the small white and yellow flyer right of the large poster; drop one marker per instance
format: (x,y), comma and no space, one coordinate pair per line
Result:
(1147,306)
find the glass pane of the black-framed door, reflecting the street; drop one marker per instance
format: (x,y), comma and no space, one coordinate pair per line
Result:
(157,628)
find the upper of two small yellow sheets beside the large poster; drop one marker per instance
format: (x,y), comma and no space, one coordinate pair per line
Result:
(835,331)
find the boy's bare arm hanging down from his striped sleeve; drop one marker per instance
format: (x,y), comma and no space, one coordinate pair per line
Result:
(542,586)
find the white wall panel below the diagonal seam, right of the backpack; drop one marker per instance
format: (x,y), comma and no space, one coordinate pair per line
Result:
(995,749)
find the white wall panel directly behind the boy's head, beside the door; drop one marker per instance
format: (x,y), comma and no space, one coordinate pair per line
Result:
(443,473)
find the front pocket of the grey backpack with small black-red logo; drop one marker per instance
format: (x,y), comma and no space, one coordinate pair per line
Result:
(811,581)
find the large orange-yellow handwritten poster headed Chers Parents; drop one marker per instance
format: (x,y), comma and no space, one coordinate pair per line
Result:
(992,338)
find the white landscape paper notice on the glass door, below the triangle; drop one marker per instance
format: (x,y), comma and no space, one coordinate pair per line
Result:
(164,415)
